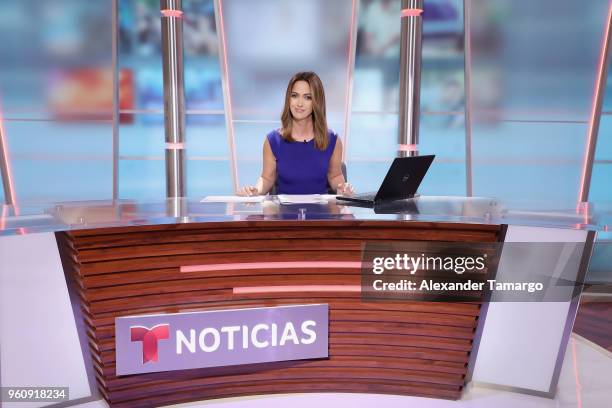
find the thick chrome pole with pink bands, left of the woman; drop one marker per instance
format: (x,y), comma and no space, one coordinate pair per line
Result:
(174,96)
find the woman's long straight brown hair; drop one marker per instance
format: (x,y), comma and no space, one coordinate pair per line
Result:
(319,120)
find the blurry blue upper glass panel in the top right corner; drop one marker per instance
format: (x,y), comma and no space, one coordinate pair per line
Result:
(513,62)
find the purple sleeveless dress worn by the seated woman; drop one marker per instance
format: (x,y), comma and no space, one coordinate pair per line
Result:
(301,168)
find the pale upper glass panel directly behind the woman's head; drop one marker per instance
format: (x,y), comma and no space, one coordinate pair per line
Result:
(292,36)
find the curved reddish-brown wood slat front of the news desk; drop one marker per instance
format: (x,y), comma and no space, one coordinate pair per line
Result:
(397,347)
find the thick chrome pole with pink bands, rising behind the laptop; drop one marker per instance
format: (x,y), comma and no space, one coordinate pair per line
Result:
(410,77)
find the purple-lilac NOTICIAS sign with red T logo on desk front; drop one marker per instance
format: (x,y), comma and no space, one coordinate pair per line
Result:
(179,341)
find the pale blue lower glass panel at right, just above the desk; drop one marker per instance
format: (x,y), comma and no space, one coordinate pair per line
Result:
(535,161)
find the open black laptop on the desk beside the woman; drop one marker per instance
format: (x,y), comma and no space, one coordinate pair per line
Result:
(401,182)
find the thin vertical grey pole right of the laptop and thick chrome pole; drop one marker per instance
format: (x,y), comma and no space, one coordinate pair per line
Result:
(467,61)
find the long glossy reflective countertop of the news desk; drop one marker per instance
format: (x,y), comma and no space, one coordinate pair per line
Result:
(49,217)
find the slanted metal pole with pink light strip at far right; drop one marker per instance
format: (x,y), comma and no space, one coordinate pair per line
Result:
(602,75)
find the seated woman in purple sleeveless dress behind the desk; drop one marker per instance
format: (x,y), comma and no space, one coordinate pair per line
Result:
(303,156)
